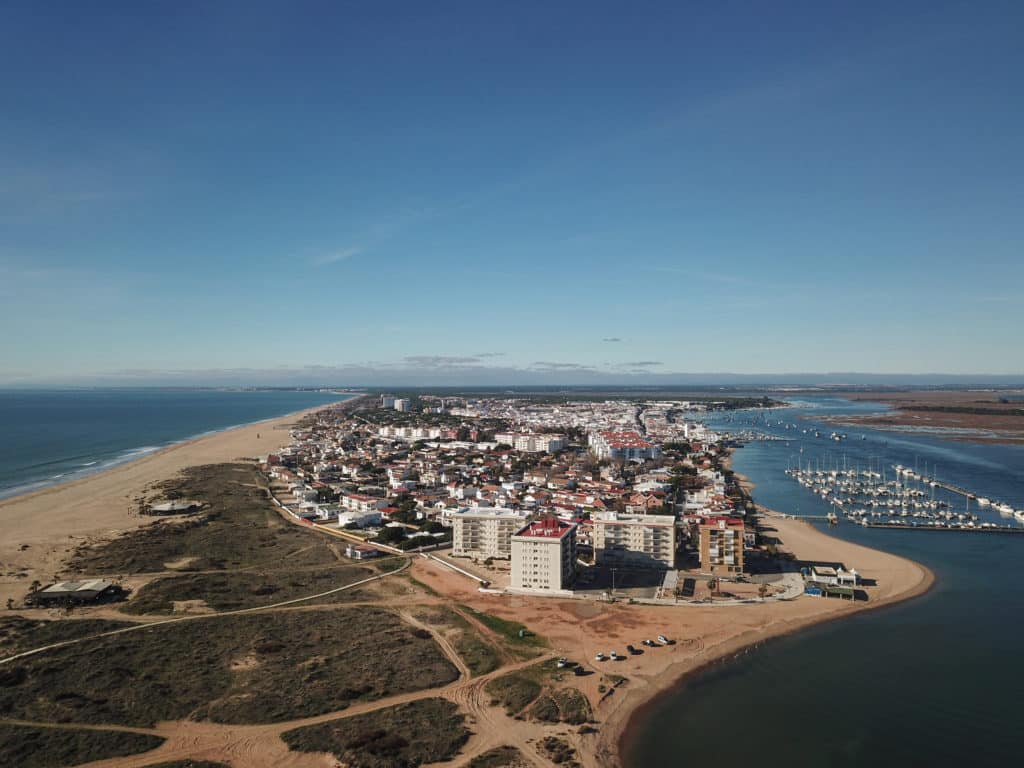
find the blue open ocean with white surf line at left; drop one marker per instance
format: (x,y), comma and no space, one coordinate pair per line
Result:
(53,437)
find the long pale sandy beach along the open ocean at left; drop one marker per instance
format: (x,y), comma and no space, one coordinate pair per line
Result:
(42,528)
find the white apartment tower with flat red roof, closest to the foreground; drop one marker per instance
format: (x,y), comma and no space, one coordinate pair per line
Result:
(544,558)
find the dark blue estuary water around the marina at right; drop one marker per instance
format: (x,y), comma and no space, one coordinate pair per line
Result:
(935,681)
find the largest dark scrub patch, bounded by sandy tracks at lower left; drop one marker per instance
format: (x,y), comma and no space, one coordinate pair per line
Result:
(298,664)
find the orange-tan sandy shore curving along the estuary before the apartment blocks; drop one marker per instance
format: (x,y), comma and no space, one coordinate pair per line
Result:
(704,634)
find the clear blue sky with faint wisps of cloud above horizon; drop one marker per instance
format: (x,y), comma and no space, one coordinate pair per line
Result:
(485,192)
